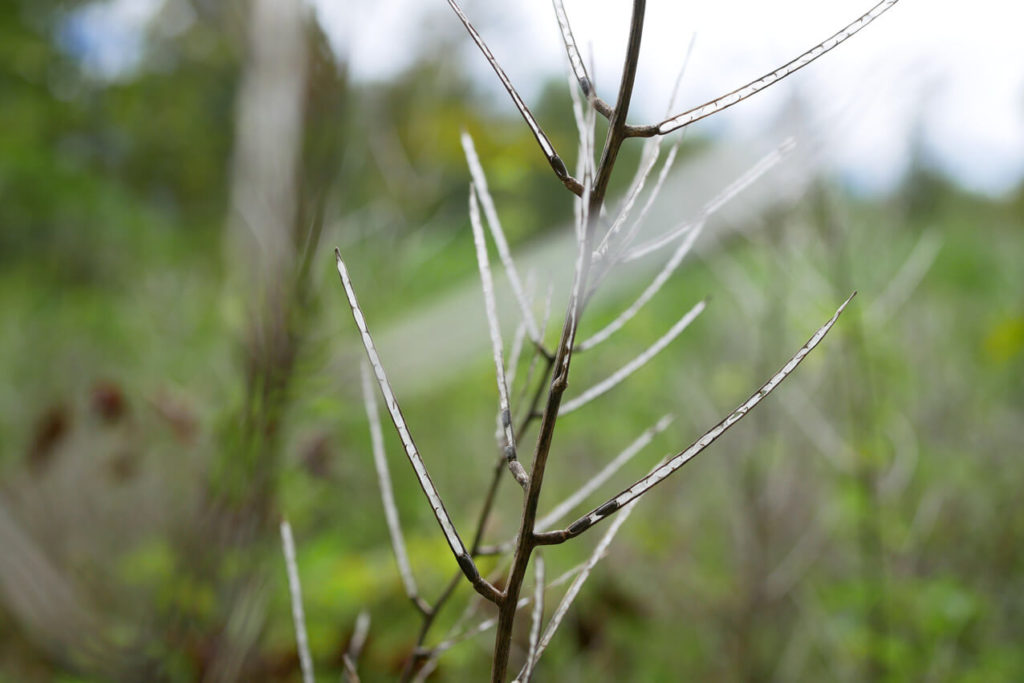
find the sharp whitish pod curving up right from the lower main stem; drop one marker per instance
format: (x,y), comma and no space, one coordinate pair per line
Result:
(644,486)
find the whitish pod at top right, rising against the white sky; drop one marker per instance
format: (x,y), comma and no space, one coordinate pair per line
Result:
(755,87)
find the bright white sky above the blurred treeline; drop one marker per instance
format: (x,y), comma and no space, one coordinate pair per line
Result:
(957,72)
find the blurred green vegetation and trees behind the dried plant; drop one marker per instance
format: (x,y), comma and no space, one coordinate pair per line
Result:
(168,397)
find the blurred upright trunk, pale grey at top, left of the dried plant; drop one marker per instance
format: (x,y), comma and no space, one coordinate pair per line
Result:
(266,272)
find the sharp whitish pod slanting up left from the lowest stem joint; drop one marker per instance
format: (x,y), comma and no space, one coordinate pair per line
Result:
(463,559)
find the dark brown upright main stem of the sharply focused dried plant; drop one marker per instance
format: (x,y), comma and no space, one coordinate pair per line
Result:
(564,355)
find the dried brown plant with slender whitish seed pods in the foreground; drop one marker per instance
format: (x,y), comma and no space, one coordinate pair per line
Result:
(606,239)
